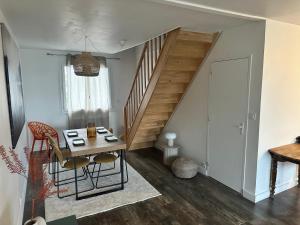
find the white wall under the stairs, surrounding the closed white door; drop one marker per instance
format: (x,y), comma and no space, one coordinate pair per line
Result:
(190,119)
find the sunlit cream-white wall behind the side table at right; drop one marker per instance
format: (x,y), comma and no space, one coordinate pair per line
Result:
(280,108)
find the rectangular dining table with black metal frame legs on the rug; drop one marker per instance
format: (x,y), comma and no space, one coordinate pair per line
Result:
(93,146)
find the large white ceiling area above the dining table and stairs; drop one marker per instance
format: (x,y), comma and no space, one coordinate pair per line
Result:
(62,24)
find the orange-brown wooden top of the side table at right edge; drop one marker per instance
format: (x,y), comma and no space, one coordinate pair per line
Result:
(290,152)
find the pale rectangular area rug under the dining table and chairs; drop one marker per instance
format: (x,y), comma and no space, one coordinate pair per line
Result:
(136,189)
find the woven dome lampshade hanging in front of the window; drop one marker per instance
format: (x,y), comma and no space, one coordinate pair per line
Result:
(86,65)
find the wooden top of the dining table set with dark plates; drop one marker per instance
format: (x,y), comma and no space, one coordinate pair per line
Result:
(92,145)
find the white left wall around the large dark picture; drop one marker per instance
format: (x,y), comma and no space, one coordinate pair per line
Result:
(12,187)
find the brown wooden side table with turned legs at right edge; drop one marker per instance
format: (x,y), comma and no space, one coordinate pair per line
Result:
(286,153)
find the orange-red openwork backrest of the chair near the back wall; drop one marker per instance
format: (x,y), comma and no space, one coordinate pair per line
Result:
(39,130)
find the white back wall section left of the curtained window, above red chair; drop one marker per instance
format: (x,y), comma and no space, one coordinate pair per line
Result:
(41,85)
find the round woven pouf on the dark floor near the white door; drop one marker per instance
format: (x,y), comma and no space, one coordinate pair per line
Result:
(184,168)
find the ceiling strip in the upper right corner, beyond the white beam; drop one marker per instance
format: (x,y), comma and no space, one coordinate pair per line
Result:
(282,10)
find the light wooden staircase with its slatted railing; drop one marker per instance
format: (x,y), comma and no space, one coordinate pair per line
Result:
(166,68)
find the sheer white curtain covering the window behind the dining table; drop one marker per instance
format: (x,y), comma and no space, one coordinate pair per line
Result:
(87,99)
